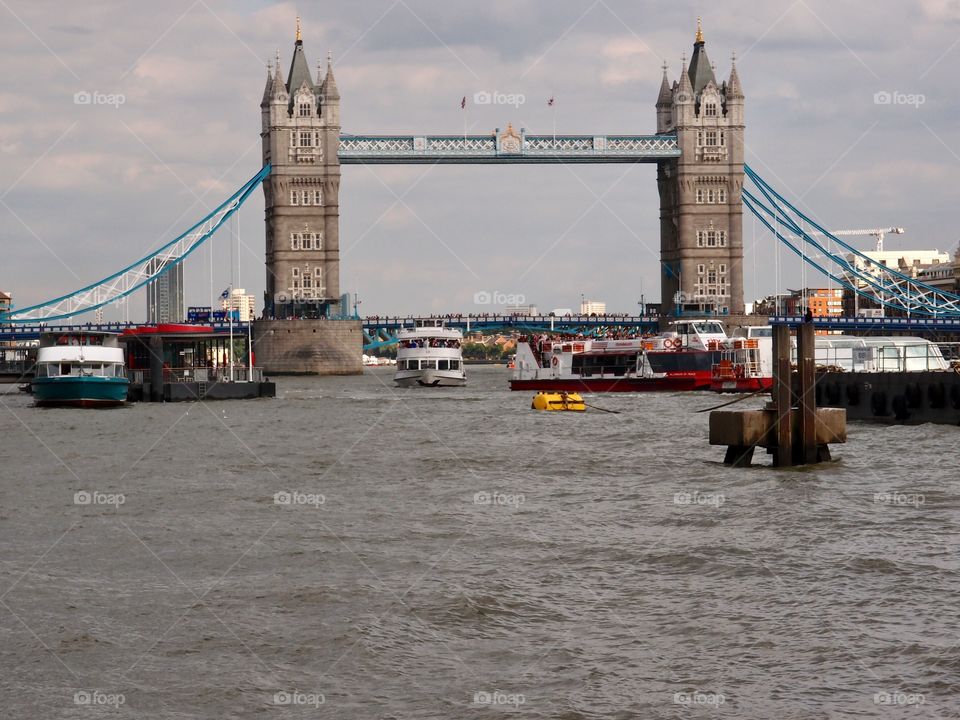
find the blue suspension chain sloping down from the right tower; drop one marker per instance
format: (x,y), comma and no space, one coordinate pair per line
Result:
(860,273)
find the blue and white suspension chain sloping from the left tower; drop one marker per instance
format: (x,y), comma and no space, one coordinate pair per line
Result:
(145,270)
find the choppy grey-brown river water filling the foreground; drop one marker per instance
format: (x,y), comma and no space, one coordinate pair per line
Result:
(618,571)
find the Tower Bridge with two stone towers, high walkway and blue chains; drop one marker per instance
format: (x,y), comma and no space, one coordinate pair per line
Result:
(697,147)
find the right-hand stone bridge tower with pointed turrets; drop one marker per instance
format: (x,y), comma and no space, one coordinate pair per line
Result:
(701,213)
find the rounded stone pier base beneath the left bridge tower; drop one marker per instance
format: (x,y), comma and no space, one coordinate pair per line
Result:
(308,347)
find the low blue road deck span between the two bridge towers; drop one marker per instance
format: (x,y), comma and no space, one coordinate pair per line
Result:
(380,332)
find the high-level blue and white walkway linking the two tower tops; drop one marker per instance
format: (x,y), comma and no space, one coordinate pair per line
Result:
(507,147)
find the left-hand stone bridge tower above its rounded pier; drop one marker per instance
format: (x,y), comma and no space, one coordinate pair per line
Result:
(301,135)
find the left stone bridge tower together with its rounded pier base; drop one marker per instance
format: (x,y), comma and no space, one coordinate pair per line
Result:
(302,331)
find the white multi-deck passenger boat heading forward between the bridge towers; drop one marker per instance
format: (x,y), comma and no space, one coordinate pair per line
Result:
(429,355)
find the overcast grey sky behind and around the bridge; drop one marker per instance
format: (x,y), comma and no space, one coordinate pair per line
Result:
(85,189)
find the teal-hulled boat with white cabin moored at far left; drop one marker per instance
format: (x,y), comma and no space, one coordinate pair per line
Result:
(79,369)
